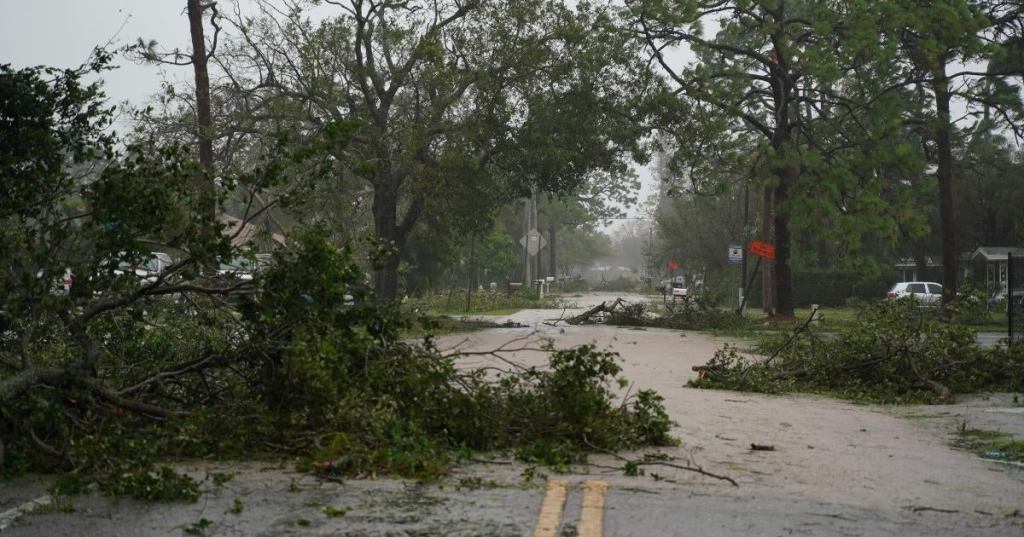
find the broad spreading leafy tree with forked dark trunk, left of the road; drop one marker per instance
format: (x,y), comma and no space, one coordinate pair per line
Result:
(455,109)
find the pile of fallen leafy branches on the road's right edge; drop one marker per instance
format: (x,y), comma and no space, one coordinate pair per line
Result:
(898,352)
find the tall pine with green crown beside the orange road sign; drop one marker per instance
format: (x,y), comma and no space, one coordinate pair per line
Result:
(793,80)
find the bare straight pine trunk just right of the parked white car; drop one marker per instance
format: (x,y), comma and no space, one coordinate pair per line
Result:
(945,175)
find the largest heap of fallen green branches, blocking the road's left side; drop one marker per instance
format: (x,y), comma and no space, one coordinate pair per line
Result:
(312,367)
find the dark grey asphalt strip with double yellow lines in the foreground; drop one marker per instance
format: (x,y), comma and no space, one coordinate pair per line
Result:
(278,503)
